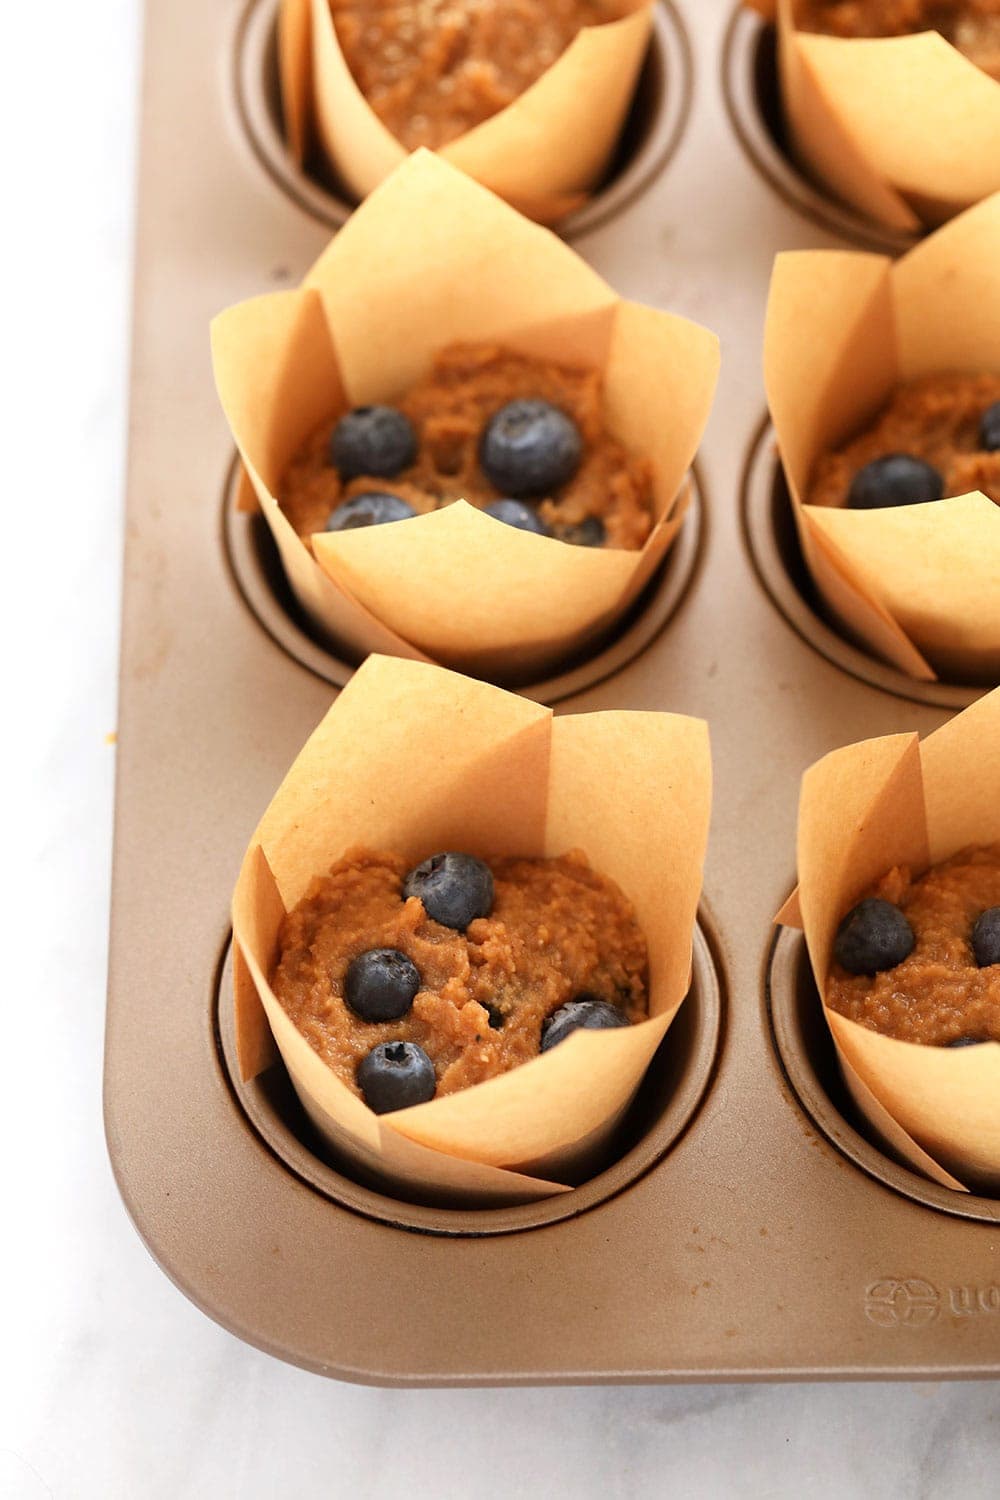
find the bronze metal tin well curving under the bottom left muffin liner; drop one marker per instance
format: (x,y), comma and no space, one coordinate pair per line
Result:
(659,1117)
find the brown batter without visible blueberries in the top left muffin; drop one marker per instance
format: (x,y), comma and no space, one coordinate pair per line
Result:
(434,70)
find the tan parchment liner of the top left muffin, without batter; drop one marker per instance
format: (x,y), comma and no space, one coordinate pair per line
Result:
(543,154)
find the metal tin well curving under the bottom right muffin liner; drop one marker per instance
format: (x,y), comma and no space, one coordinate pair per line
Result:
(810,1063)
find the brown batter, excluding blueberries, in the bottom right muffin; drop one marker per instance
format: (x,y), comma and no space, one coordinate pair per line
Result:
(936,995)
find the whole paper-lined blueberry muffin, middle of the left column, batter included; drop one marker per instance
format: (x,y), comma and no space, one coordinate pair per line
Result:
(383,389)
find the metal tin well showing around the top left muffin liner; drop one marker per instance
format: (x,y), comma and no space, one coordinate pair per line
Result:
(650,137)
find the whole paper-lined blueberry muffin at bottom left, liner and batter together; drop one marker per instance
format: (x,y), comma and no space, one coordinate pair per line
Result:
(467,928)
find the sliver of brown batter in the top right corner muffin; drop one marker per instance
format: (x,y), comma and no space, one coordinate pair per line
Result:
(972,26)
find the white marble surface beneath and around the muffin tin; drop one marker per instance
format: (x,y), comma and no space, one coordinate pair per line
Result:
(113,1384)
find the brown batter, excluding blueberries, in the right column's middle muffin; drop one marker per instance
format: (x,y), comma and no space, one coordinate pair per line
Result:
(935,419)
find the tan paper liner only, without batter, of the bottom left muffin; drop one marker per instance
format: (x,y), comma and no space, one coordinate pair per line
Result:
(415,758)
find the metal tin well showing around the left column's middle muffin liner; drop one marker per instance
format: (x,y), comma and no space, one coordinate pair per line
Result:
(260,581)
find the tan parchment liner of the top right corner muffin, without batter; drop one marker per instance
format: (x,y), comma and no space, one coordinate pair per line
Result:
(905,128)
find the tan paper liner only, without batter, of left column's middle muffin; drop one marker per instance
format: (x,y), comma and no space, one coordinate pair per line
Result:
(430,260)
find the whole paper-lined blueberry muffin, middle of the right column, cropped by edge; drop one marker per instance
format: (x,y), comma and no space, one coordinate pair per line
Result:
(884,382)
